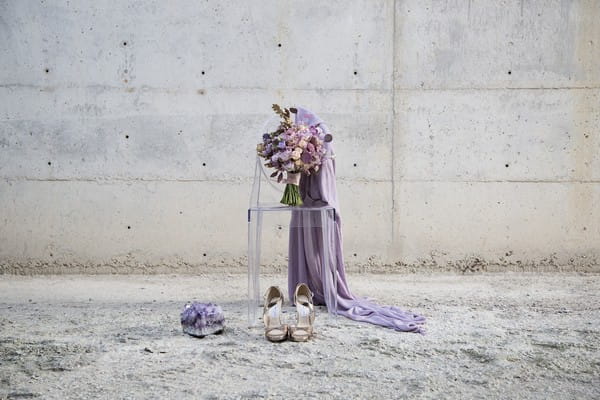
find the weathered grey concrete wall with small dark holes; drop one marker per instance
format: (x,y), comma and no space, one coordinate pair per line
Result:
(467,132)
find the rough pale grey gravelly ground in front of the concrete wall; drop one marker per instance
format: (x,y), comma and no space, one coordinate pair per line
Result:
(512,335)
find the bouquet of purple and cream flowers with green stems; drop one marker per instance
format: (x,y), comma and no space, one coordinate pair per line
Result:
(294,149)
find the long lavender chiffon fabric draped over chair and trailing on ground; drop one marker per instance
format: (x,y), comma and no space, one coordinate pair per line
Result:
(306,245)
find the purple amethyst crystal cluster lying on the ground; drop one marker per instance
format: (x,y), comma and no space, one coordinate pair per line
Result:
(201,319)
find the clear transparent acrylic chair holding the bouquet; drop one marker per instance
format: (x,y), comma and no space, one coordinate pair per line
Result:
(264,199)
